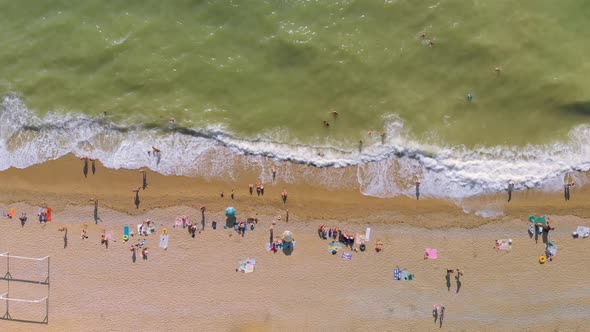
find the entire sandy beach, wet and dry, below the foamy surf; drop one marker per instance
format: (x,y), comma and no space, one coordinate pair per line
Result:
(194,286)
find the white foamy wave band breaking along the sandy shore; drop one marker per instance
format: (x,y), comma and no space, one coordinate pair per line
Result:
(383,169)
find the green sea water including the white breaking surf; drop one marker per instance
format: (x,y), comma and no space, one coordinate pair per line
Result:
(259,77)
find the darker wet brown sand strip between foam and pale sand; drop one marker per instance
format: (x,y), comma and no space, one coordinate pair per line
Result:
(60,183)
